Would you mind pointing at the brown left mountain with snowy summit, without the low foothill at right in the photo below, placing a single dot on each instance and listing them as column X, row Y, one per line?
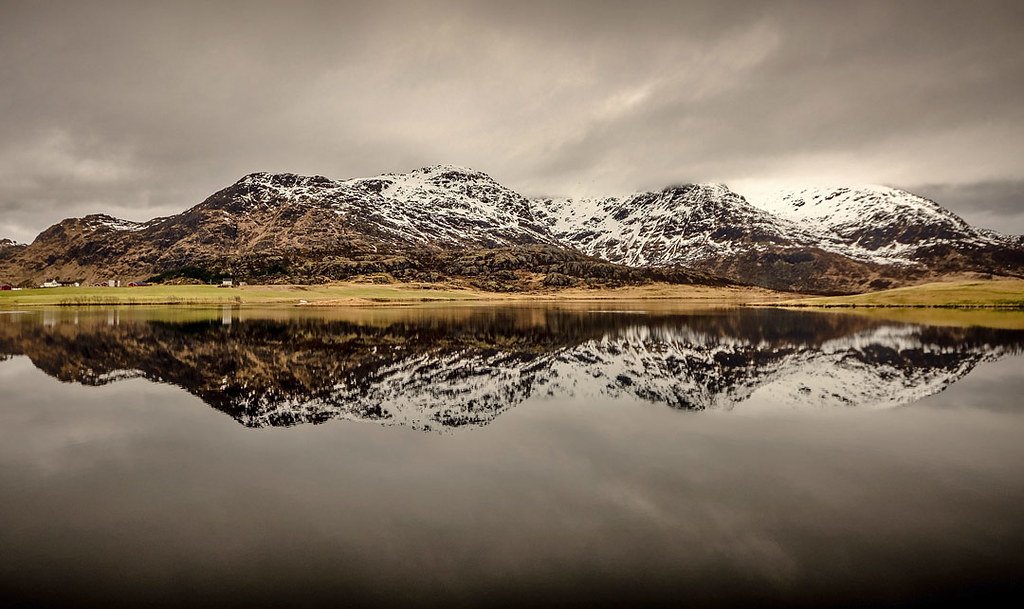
column 268, row 219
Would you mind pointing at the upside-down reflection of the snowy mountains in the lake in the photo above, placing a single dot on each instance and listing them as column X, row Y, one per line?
column 434, row 368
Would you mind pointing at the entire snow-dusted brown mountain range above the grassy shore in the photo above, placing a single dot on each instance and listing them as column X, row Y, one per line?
column 446, row 223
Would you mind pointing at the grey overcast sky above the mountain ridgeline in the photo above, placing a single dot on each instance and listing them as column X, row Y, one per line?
column 139, row 109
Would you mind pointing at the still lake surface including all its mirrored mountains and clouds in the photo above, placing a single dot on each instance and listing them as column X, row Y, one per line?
column 506, row 457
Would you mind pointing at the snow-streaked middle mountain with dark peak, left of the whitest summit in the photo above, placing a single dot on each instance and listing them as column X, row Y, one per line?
column 707, row 228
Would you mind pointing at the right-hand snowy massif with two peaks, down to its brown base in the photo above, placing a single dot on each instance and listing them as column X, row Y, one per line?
column 828, row 240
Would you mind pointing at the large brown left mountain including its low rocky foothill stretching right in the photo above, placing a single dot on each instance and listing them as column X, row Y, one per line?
column 431, row 225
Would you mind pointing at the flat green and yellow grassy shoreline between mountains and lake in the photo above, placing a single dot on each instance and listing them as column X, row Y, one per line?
column 994, row 295
